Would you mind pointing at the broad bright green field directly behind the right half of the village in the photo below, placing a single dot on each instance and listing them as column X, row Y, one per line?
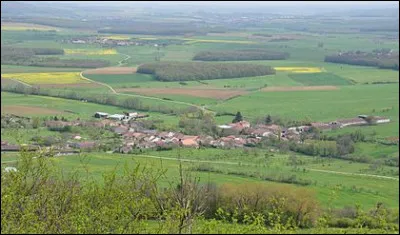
column 348, row 101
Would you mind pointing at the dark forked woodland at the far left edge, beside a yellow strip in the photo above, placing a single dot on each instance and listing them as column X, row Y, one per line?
column 28, row 57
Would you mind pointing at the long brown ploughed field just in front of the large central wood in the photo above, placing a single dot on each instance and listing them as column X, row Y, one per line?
column 205, row 93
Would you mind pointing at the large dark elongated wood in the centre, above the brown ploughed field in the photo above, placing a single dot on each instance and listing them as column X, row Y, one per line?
column 191, row 71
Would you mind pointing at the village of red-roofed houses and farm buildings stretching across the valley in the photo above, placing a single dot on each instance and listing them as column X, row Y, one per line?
column 134, row 136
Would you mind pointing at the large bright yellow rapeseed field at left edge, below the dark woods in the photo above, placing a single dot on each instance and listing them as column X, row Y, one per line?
column 47, row 78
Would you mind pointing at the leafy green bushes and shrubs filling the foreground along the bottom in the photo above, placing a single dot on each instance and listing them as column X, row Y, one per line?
column 124, row 204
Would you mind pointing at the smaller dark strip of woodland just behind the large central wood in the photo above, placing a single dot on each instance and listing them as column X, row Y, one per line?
column 237, row 55
